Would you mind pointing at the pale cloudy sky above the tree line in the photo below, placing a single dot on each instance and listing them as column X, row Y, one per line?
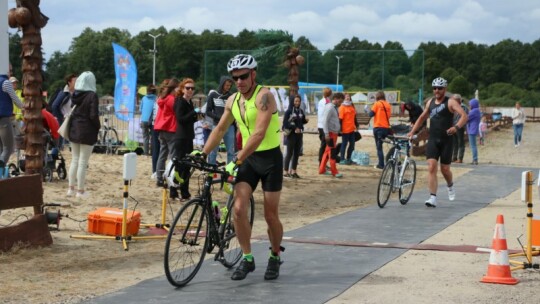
column 324, row 22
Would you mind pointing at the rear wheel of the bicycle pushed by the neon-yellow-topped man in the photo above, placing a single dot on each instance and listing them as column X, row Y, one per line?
column 230, row 251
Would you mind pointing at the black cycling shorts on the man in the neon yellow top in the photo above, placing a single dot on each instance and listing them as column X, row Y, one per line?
column 265, row 166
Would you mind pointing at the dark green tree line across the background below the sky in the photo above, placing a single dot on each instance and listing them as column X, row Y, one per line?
column 502, row 73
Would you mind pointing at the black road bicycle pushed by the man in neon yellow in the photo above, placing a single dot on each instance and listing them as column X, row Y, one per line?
column 199, row 226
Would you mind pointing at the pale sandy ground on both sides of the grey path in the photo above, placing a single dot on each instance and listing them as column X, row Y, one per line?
column 72, row 270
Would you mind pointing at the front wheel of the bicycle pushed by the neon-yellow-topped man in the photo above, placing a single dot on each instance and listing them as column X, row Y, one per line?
column 186, row 243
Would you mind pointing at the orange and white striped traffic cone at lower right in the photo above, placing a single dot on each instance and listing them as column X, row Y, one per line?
column 499, row 265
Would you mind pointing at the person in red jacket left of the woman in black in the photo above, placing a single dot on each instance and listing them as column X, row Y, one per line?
column 165, row 124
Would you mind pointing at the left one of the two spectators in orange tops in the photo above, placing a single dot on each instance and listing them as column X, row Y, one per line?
column 347, row 116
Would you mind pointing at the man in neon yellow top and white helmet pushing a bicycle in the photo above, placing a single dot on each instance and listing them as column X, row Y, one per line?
column 255, row 111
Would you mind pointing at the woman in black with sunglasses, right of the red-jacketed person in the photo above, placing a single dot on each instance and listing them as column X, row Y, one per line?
column 186, row 116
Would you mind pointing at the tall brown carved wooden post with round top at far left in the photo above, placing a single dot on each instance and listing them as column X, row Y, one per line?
column 29, row 18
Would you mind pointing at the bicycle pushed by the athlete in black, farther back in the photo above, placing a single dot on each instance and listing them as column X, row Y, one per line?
column 399, row 173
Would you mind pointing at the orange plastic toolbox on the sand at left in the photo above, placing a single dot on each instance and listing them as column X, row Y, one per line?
column 108, row 221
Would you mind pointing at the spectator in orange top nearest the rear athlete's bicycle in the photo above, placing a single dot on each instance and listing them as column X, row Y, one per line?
column 382, row 111
